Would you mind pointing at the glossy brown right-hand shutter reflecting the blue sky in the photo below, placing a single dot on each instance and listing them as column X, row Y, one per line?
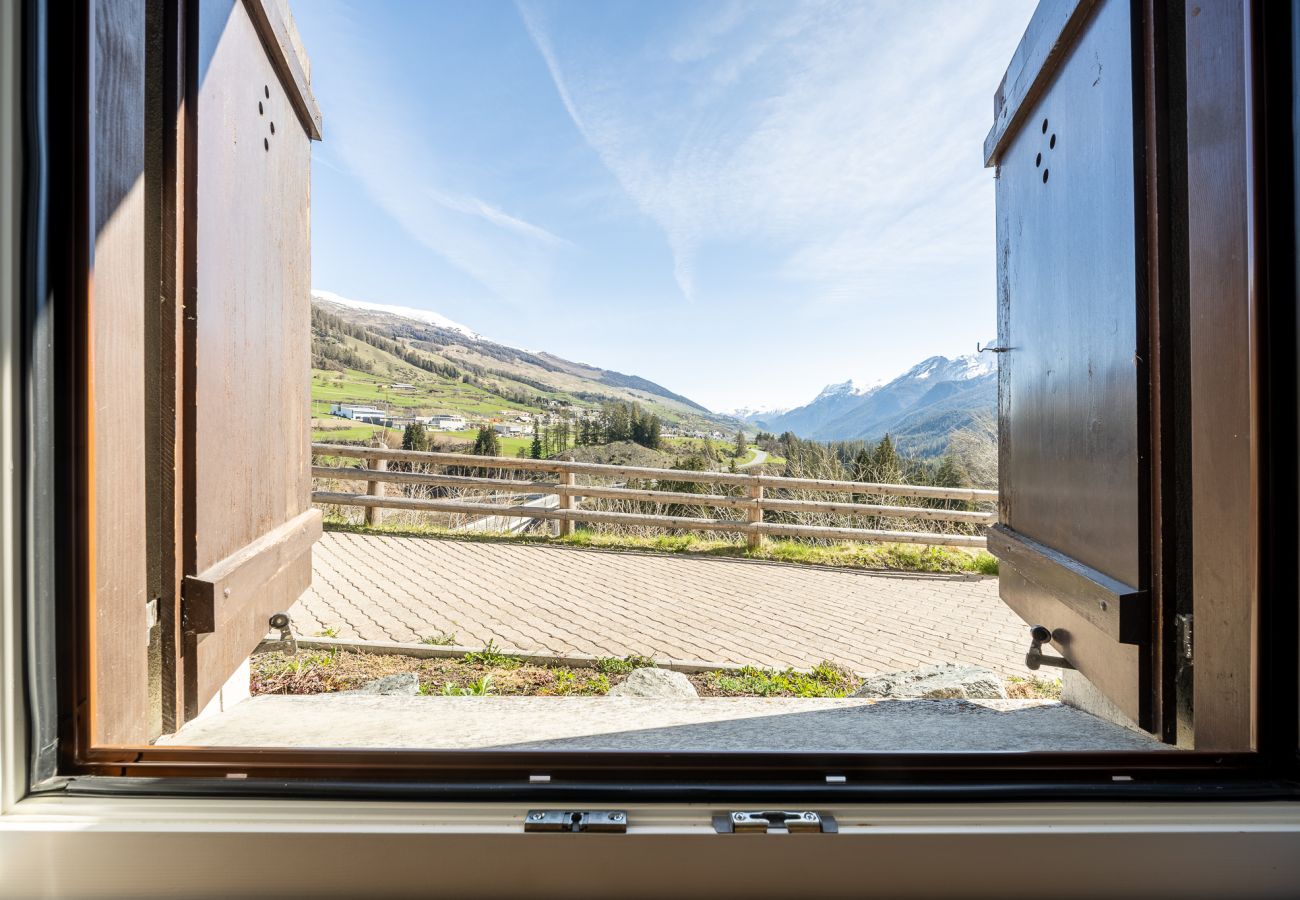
column 1073, row 384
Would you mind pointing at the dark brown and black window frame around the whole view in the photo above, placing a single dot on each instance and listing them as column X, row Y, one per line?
column 60, row 594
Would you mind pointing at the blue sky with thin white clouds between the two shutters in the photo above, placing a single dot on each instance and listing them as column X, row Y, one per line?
column 740, row 201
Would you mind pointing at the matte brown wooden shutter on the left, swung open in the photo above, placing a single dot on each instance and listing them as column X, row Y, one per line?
column 249, row 522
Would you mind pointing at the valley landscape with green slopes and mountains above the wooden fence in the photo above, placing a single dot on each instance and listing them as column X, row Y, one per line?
column 380, row 369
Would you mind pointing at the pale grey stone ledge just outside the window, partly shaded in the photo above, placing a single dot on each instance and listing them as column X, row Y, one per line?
column 618, row 724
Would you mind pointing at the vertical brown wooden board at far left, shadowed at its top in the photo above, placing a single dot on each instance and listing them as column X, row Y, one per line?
column 115, row 405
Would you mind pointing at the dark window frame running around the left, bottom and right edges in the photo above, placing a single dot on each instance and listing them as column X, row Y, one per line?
column 54, row 536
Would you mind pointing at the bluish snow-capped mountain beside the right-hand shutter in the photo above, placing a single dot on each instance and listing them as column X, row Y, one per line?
column 918, row 409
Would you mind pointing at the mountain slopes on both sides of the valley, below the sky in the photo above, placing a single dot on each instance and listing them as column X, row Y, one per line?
column 920, row 409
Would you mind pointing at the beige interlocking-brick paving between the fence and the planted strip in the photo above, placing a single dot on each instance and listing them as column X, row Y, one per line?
column 569, row 600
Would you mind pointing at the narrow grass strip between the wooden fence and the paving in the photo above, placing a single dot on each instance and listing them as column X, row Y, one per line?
column 896, row 557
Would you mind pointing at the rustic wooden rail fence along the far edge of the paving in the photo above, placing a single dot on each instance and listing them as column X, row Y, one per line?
column 755, row 501
